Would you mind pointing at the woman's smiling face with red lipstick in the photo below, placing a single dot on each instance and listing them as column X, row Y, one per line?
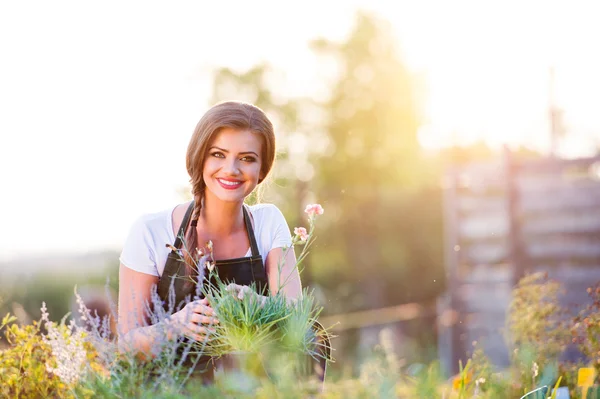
column 232, row 164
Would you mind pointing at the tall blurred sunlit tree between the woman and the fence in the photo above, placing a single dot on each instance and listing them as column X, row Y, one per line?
column 382, row 241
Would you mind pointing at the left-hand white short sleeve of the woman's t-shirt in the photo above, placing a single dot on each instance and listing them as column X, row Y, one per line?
column 138, row 251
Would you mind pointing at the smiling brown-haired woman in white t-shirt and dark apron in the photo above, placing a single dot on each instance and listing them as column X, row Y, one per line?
column 231, row 151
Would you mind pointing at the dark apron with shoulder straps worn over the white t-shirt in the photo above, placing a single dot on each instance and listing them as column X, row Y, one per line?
column 242, row 271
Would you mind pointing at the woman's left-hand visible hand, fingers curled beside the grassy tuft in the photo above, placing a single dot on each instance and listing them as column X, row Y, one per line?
column 193, row 320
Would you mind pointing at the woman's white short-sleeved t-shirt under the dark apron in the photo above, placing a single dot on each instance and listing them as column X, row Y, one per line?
column 145, row 248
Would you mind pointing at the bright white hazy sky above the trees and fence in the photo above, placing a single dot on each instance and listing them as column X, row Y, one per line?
column 98, row 99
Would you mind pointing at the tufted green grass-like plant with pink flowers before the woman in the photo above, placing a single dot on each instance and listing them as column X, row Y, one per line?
column 268, row 334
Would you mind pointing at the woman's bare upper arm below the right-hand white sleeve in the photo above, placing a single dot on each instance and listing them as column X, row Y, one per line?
column 283, row 274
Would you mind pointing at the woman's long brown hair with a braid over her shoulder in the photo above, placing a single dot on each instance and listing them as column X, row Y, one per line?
column 230, row 114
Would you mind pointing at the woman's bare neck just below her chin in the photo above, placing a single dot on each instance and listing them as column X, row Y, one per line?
column 219, row 218
